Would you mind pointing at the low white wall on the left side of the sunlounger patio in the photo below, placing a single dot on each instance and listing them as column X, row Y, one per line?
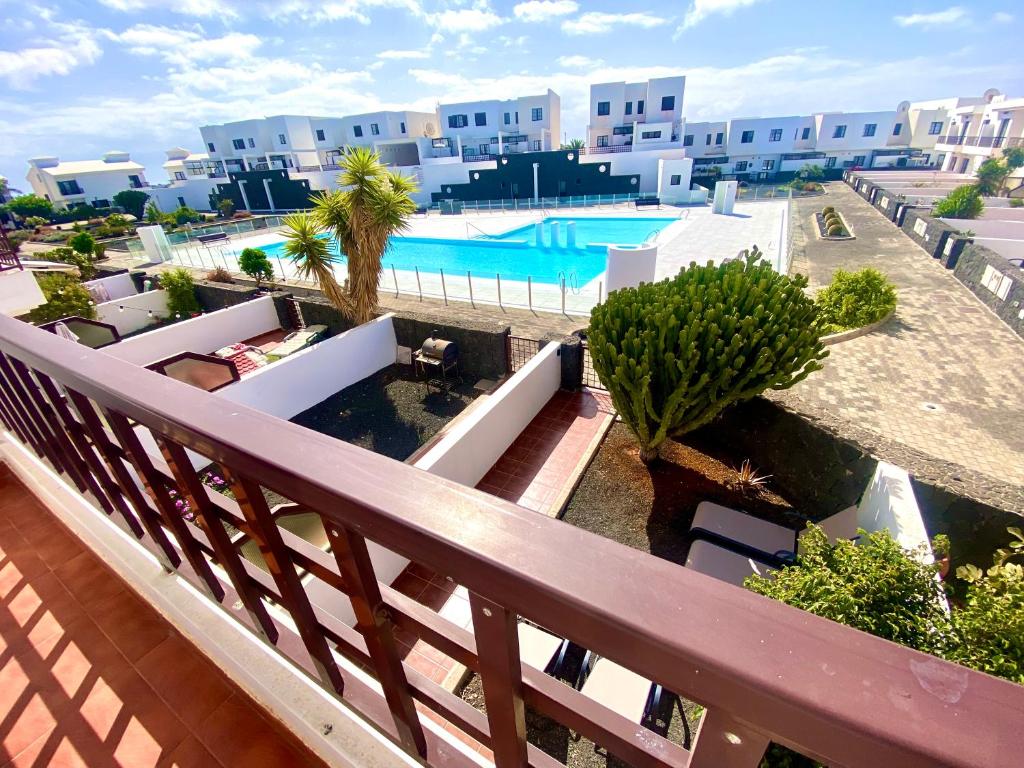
column 203, row 334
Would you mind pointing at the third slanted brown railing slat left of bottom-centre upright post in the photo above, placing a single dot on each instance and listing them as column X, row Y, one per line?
column 228, row 556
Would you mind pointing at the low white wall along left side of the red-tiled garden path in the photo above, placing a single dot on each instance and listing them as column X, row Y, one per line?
column 472, row 449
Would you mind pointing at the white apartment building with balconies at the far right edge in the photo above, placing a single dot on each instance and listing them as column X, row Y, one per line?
column 982, row 131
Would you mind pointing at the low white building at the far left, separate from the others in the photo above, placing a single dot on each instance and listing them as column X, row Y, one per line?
column 93, row 183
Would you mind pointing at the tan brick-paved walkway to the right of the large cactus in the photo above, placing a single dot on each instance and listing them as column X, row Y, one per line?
column 945, row 376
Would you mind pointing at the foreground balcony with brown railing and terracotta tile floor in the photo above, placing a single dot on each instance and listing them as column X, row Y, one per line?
column 310, row 632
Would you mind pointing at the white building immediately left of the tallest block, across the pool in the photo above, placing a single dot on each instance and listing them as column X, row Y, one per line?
column 496, row 127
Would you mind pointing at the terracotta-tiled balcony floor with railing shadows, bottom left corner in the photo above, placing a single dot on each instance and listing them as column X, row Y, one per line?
column 93, row 676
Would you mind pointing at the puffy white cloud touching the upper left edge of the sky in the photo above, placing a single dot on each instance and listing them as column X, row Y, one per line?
column 67, row 47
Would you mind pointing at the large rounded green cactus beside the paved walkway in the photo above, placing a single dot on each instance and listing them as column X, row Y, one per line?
column 674, row 355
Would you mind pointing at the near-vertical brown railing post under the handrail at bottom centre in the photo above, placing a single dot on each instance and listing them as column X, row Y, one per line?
column 498, row 650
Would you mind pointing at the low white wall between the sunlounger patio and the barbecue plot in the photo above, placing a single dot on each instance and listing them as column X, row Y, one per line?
column 302, row 380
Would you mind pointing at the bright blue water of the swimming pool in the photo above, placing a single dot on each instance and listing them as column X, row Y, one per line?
column 514, row 254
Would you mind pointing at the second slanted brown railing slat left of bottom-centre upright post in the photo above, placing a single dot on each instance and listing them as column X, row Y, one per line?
column 249, row 495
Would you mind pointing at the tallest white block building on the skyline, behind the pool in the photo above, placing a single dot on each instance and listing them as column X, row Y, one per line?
column 648, row 115
